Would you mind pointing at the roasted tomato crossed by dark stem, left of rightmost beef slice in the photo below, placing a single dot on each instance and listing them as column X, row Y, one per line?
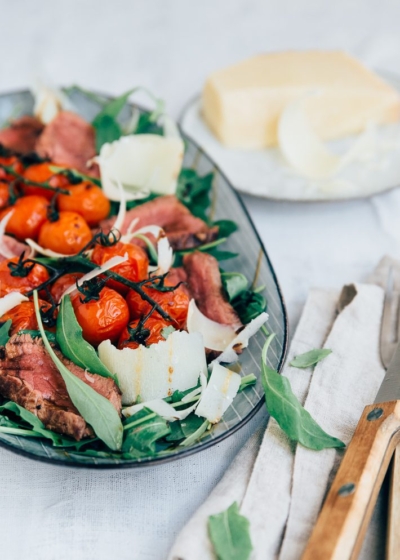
column 175, row 303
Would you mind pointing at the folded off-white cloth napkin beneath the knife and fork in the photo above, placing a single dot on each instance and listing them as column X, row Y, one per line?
column 280, row 486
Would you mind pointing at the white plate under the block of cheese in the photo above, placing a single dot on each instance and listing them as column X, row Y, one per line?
column 264, row 172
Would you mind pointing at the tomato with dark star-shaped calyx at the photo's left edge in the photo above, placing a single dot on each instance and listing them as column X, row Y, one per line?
column 20, row 276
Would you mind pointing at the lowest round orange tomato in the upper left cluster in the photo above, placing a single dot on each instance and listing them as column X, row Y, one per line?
column 67, row 235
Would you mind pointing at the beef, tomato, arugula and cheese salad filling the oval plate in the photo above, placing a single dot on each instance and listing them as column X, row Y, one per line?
column 120, row 330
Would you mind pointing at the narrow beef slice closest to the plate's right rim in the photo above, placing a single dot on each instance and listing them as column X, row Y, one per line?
column 205, row 285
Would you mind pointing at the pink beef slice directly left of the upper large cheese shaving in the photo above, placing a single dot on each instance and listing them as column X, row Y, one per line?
column 69, row 140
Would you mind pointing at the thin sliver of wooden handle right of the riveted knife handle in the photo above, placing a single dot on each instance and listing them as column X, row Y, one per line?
column 393, row 535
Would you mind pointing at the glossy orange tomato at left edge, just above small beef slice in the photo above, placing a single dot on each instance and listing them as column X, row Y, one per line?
column 29, row 214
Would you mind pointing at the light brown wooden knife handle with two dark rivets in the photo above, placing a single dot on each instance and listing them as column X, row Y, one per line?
column 340, row 529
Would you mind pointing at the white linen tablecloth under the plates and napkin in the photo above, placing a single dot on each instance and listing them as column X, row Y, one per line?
column 170, row 46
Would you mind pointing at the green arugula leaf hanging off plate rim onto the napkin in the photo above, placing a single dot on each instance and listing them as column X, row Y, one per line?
column 282, row 404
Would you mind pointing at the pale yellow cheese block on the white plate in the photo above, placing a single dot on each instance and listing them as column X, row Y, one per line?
column 242, row 104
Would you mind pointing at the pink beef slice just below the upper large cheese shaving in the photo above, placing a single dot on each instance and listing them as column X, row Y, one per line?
column 184, row 230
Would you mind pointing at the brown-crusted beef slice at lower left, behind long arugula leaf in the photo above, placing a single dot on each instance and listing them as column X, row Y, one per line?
column 29, row 377
